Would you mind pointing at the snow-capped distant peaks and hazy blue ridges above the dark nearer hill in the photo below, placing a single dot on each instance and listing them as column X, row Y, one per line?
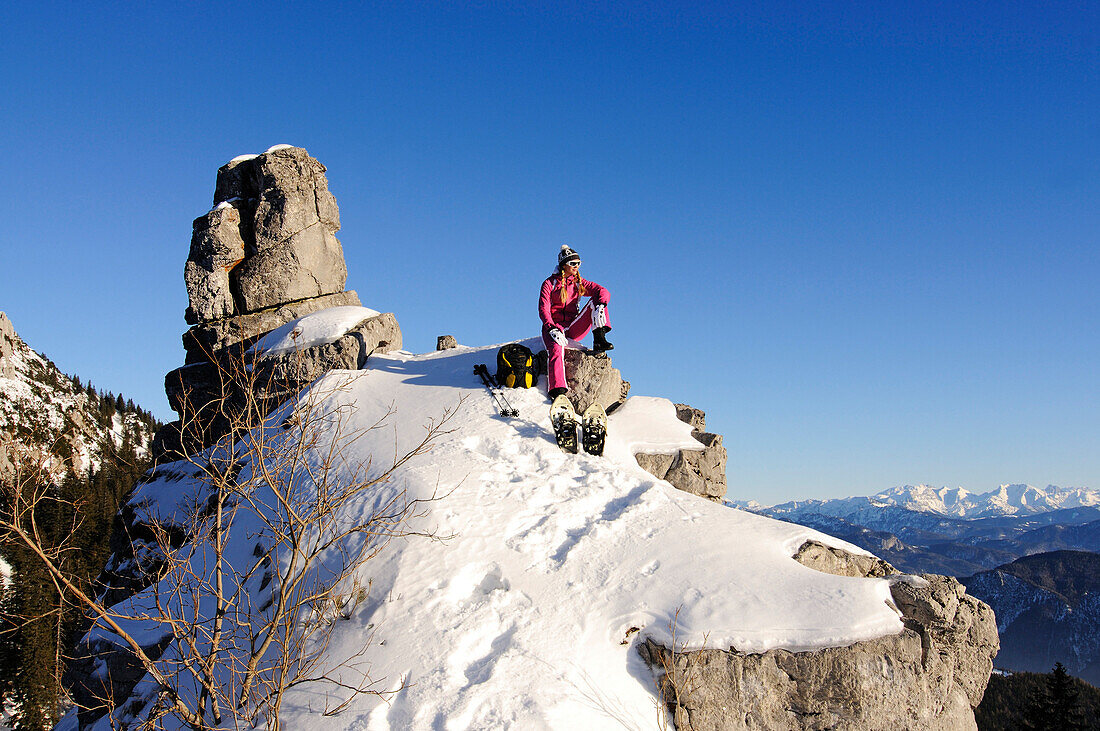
column 953, row 531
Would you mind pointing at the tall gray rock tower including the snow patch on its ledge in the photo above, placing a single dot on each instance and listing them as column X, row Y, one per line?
column 265, row 259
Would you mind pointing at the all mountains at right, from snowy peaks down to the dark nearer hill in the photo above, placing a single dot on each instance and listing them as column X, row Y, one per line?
column 1030, row 553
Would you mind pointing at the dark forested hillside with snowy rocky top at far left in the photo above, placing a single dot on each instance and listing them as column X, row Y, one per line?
column 70, row 456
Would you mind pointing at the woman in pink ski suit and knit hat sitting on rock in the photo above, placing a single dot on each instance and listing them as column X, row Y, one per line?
column 564, row 318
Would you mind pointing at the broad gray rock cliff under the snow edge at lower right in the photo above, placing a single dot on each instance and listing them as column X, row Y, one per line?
column 930, row 677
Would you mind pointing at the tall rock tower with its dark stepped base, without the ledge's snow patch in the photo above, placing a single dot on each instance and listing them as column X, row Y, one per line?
column 265, row 256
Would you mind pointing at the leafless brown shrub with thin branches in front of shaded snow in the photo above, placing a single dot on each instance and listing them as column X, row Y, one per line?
column 251, row 562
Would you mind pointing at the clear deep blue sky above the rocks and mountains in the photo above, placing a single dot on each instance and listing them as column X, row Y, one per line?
column 862, row 237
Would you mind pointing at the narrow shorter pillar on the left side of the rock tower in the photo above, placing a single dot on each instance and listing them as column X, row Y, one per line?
column 217, row 247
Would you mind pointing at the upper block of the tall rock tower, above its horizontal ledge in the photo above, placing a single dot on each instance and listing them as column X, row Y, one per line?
column 270, row 240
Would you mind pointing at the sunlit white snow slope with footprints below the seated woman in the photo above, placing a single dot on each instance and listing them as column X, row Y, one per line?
column 555, row 567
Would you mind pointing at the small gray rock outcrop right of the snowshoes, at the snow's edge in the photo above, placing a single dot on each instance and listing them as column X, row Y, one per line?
column 700, row 472
